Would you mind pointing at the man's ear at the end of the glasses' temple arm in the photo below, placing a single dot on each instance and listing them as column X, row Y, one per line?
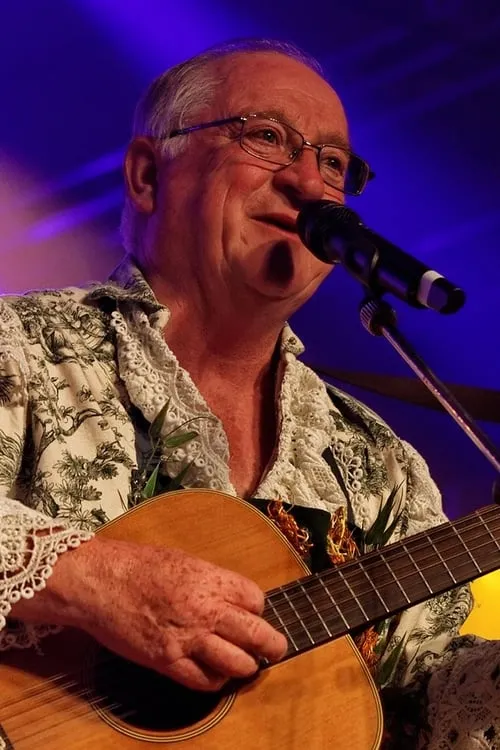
column 140, row 172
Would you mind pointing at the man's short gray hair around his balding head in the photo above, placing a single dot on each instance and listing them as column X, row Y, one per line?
column 177, row 95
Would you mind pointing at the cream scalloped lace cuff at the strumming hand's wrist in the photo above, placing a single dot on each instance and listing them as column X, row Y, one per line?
column 27, row 559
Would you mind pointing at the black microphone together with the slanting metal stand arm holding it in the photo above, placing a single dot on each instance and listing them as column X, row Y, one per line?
column 335, row 234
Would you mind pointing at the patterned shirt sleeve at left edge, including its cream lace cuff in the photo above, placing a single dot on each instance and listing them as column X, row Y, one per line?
column 30, row 541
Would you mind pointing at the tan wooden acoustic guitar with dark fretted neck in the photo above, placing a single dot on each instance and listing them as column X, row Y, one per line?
column 77, row 695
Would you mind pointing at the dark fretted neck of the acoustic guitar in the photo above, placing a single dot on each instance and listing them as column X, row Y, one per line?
column 382, row 583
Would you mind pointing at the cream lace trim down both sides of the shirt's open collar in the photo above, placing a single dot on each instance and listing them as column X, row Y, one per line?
column 298, row 475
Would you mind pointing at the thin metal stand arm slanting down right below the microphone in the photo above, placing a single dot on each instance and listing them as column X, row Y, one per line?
column 379, row 319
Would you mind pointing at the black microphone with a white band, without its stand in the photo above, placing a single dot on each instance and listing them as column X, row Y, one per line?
column 335, row 234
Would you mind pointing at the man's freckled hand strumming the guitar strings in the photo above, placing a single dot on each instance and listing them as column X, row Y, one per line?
column 190, row 620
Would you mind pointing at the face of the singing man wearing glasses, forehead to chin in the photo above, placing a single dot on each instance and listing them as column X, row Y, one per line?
column 226, row 218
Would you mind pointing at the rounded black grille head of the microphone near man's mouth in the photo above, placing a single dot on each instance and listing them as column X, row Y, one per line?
column 316, row 221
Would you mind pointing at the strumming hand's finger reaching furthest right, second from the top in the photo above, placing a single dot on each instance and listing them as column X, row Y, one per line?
column 251, row 633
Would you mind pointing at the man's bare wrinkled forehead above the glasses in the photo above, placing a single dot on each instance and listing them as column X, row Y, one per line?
column 273, row 82
